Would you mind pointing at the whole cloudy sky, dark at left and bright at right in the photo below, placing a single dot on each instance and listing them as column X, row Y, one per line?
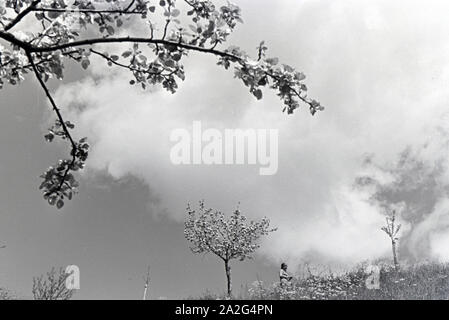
column 381, row 69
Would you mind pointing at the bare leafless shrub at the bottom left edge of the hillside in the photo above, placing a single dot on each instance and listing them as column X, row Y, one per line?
column 52, row 286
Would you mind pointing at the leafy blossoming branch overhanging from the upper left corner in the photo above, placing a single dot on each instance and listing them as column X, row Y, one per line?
column 66, row 30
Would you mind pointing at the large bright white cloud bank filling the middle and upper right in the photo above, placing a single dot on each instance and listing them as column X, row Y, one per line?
column 382, row 75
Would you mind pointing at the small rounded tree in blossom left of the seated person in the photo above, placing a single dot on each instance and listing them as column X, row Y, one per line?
column 230, row 238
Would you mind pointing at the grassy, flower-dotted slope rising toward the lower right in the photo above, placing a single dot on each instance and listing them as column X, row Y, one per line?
column 428, row 281
